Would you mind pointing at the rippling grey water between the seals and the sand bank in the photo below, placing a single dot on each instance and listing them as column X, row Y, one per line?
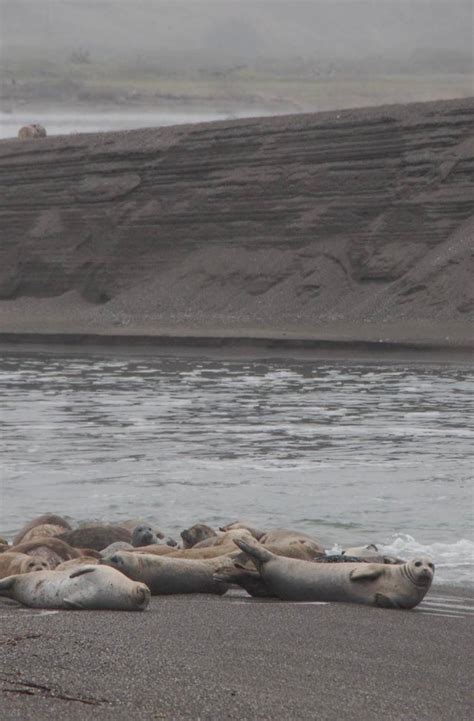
column 350, row 452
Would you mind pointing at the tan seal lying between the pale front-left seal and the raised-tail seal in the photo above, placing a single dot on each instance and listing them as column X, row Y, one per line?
column 164, row 575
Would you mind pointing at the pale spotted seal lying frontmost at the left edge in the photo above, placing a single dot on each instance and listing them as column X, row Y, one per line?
column 87, row 587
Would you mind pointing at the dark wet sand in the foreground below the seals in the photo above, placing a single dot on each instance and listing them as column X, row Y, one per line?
column 204, row 657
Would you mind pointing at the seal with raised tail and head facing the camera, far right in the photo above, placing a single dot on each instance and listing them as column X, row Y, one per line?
column 388, row 586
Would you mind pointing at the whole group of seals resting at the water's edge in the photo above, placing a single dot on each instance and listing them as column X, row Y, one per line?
column 118, row 567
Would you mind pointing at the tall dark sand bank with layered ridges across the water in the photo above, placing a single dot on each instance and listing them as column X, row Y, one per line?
column 355, row 225
